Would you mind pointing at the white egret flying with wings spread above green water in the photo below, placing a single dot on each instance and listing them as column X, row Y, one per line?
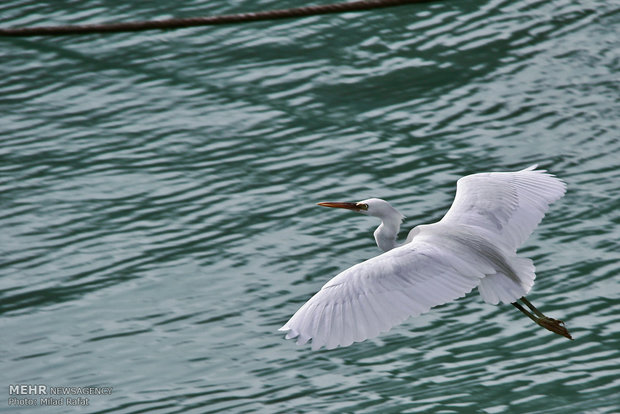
column 473, row 245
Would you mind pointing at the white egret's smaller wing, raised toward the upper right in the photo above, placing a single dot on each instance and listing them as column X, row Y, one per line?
column 505, row 206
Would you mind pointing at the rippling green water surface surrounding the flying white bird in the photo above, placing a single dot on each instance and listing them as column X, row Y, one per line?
column 158, row 190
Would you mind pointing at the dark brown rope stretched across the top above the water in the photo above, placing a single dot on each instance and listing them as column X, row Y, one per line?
column 353, row 6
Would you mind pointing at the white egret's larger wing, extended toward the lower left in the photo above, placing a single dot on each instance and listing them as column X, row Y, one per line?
column 381, row 292
